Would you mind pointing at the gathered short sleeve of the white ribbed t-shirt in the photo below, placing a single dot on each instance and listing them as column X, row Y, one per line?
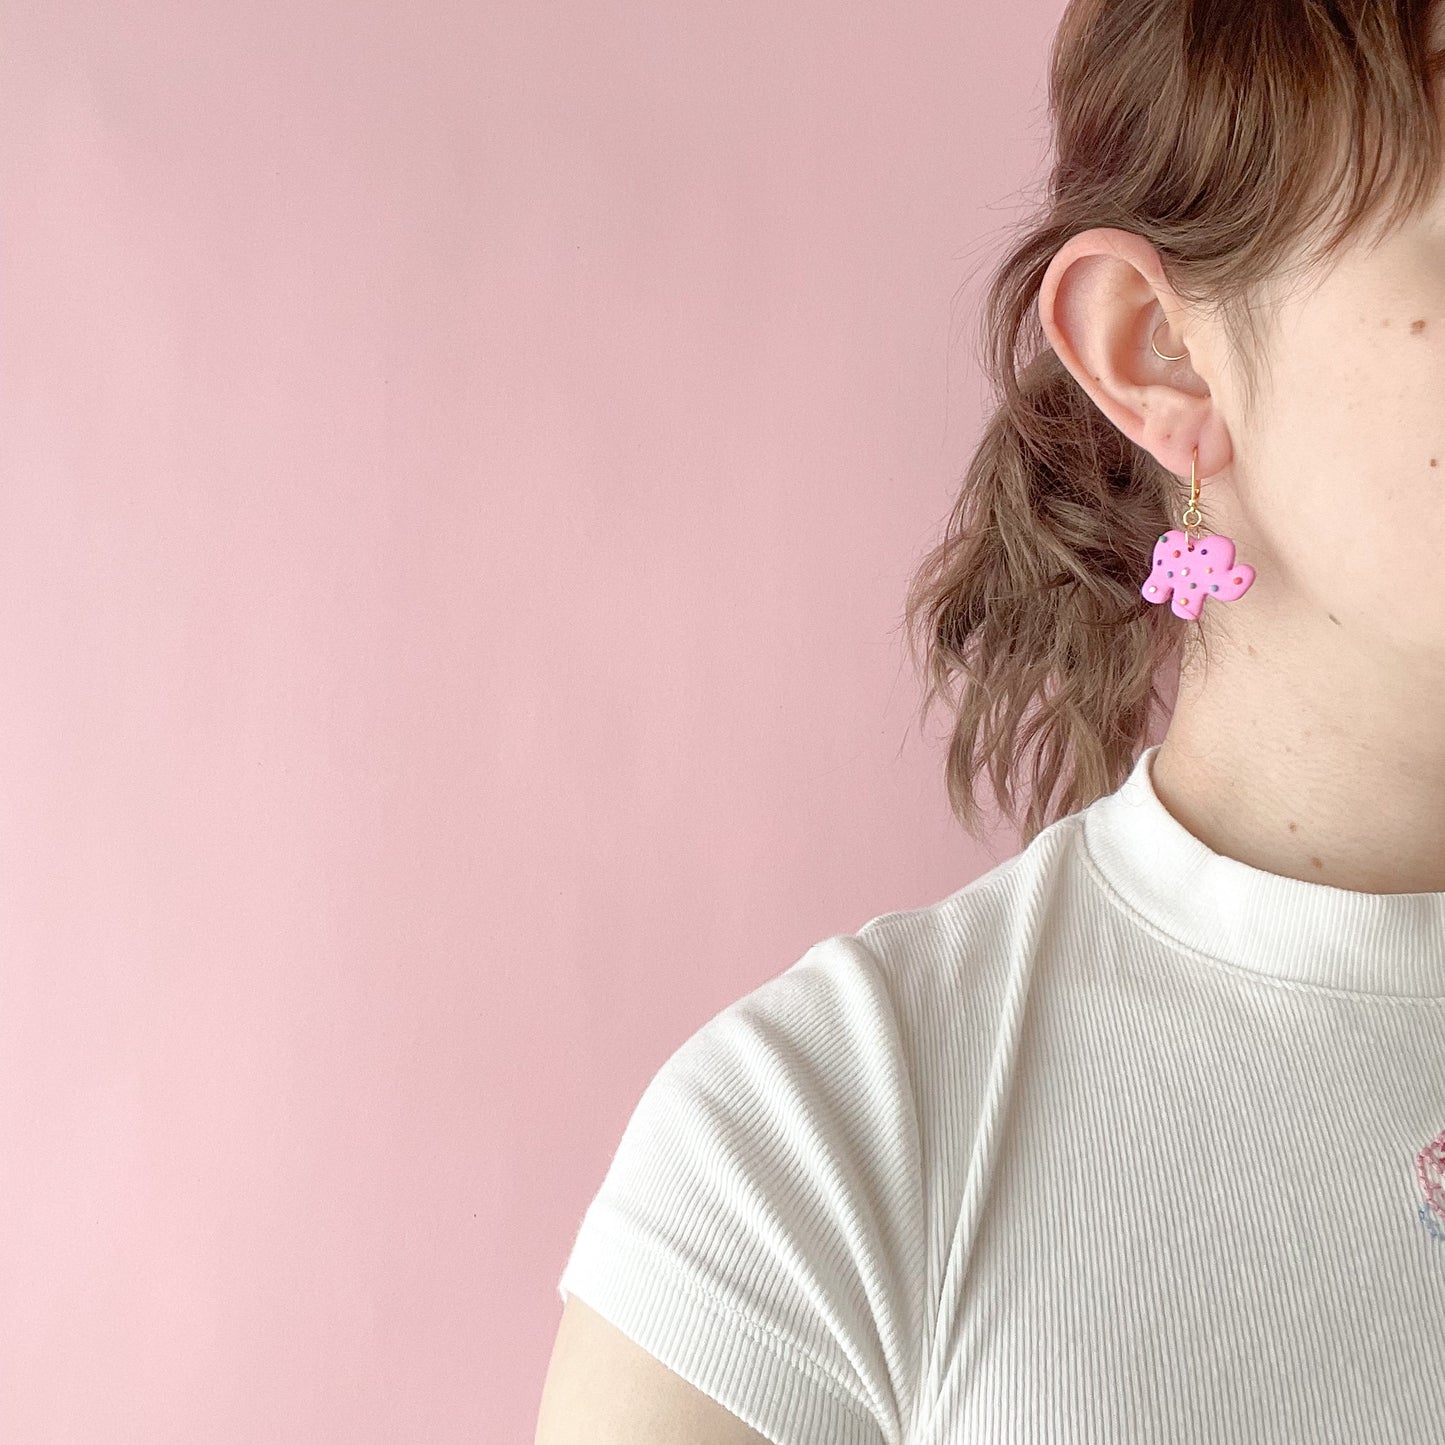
column 759, row 1229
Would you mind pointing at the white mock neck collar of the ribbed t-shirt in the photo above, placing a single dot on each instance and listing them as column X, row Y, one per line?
column 1284, row 928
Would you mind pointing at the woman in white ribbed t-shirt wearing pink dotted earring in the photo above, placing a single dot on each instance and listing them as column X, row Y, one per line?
column 1139, row 1136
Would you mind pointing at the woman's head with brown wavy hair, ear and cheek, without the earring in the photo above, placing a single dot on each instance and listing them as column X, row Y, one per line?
column 1255, row 184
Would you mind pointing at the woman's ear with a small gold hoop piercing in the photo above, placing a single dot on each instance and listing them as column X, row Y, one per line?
column 1102, row 300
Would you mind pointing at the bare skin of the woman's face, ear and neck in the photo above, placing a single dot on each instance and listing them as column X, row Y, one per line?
column 1314, row 746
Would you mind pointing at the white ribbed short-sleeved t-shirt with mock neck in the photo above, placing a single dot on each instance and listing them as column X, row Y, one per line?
column 1122, row 1142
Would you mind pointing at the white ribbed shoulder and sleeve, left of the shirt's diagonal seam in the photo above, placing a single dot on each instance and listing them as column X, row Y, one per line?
column 765, row 1225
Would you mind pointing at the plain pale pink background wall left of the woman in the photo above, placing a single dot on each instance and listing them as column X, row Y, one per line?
column 462, row 470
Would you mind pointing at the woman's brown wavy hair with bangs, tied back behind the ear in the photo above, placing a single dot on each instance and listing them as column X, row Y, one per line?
column 1225, row 134
